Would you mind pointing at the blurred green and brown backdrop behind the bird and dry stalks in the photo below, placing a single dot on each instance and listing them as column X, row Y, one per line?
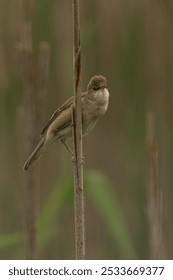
column 131, row 43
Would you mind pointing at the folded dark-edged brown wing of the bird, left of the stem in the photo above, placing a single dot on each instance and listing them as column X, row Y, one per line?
column 57, row 113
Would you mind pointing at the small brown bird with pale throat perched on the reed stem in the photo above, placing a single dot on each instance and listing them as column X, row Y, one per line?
column 94, row 104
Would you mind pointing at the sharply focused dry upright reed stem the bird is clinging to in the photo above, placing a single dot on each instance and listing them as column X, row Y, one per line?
column 77, row 138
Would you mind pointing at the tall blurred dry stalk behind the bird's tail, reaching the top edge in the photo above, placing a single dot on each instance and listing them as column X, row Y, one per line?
column 25, row 54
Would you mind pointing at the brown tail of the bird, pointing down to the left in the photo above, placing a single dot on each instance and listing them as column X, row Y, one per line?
column 37, row 153
